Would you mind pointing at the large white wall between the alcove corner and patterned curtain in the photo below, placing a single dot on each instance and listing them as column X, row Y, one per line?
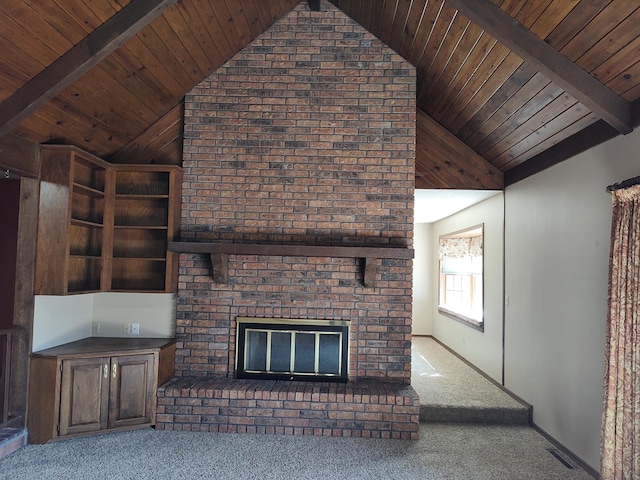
column 556, row 271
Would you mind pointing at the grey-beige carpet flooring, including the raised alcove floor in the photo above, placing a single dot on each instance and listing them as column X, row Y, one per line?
column 446, row 450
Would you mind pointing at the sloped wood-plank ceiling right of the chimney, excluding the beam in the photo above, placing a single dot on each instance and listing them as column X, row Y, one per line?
column 482, row 93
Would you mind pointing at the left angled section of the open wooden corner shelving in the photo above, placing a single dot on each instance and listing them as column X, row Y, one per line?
column 71, row 217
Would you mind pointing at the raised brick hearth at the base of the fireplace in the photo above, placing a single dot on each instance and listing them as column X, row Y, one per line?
column 371, row 410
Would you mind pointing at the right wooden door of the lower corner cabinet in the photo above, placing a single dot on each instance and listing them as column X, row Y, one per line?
column 132, row 391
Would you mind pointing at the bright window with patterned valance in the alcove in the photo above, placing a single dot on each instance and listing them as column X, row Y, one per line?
column 461, row 276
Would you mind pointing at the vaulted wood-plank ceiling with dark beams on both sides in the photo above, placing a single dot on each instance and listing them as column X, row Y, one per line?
column 504, row 87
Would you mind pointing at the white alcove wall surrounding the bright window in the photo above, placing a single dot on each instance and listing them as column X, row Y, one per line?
column 483, row 349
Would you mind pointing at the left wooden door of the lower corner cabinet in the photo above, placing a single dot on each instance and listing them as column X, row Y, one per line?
column 84, row 395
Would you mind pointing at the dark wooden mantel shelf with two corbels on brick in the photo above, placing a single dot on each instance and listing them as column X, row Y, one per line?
column 219, row 252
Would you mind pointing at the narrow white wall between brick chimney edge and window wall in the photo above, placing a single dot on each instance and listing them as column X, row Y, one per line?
column 422, row 280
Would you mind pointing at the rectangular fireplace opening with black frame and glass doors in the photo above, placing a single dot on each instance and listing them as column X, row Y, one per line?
column 292, row 349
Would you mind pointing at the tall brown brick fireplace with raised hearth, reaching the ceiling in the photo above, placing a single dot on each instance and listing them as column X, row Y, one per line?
column 306, row 138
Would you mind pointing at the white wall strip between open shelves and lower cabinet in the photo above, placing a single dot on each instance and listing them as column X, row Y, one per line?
column 63, row 319
